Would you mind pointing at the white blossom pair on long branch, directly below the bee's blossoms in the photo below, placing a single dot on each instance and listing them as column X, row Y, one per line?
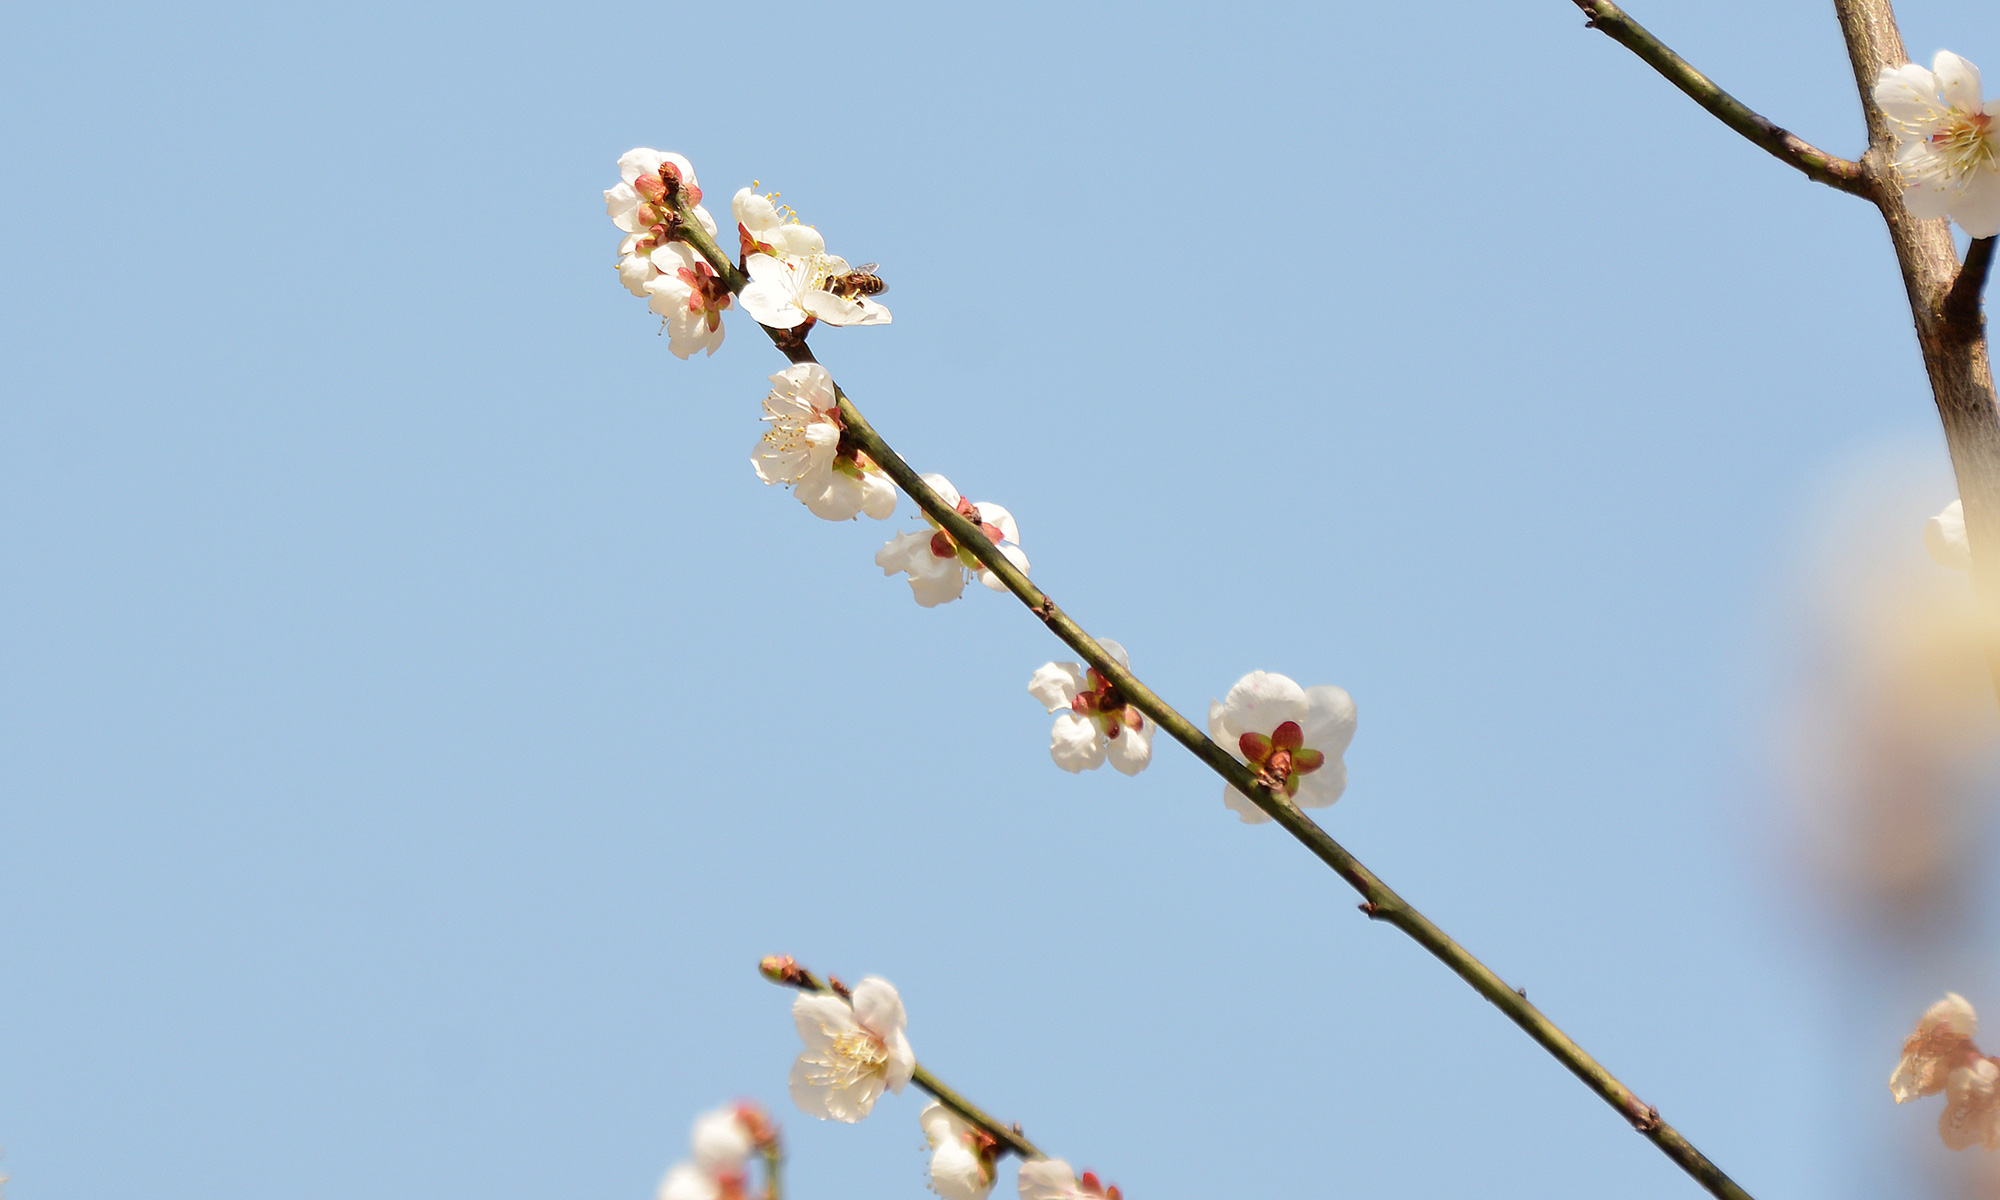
column 803, row 447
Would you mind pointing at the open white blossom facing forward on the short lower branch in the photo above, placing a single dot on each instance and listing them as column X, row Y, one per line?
column 853, row 1051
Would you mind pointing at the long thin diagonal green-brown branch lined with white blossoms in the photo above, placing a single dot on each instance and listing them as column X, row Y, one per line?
column 1379, row 901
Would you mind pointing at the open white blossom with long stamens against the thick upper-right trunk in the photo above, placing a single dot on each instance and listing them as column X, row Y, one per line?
column 1947, row 151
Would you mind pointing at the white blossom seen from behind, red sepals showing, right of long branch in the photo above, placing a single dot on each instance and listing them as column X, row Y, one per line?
column 1293, row 739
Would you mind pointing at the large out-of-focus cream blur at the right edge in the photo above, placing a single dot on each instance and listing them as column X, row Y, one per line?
column 1889, row 743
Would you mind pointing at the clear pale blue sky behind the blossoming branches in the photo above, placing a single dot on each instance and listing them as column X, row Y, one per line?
column 417, row 721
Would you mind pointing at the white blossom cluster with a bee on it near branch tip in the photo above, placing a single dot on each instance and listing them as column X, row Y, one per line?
column 793, row 279
